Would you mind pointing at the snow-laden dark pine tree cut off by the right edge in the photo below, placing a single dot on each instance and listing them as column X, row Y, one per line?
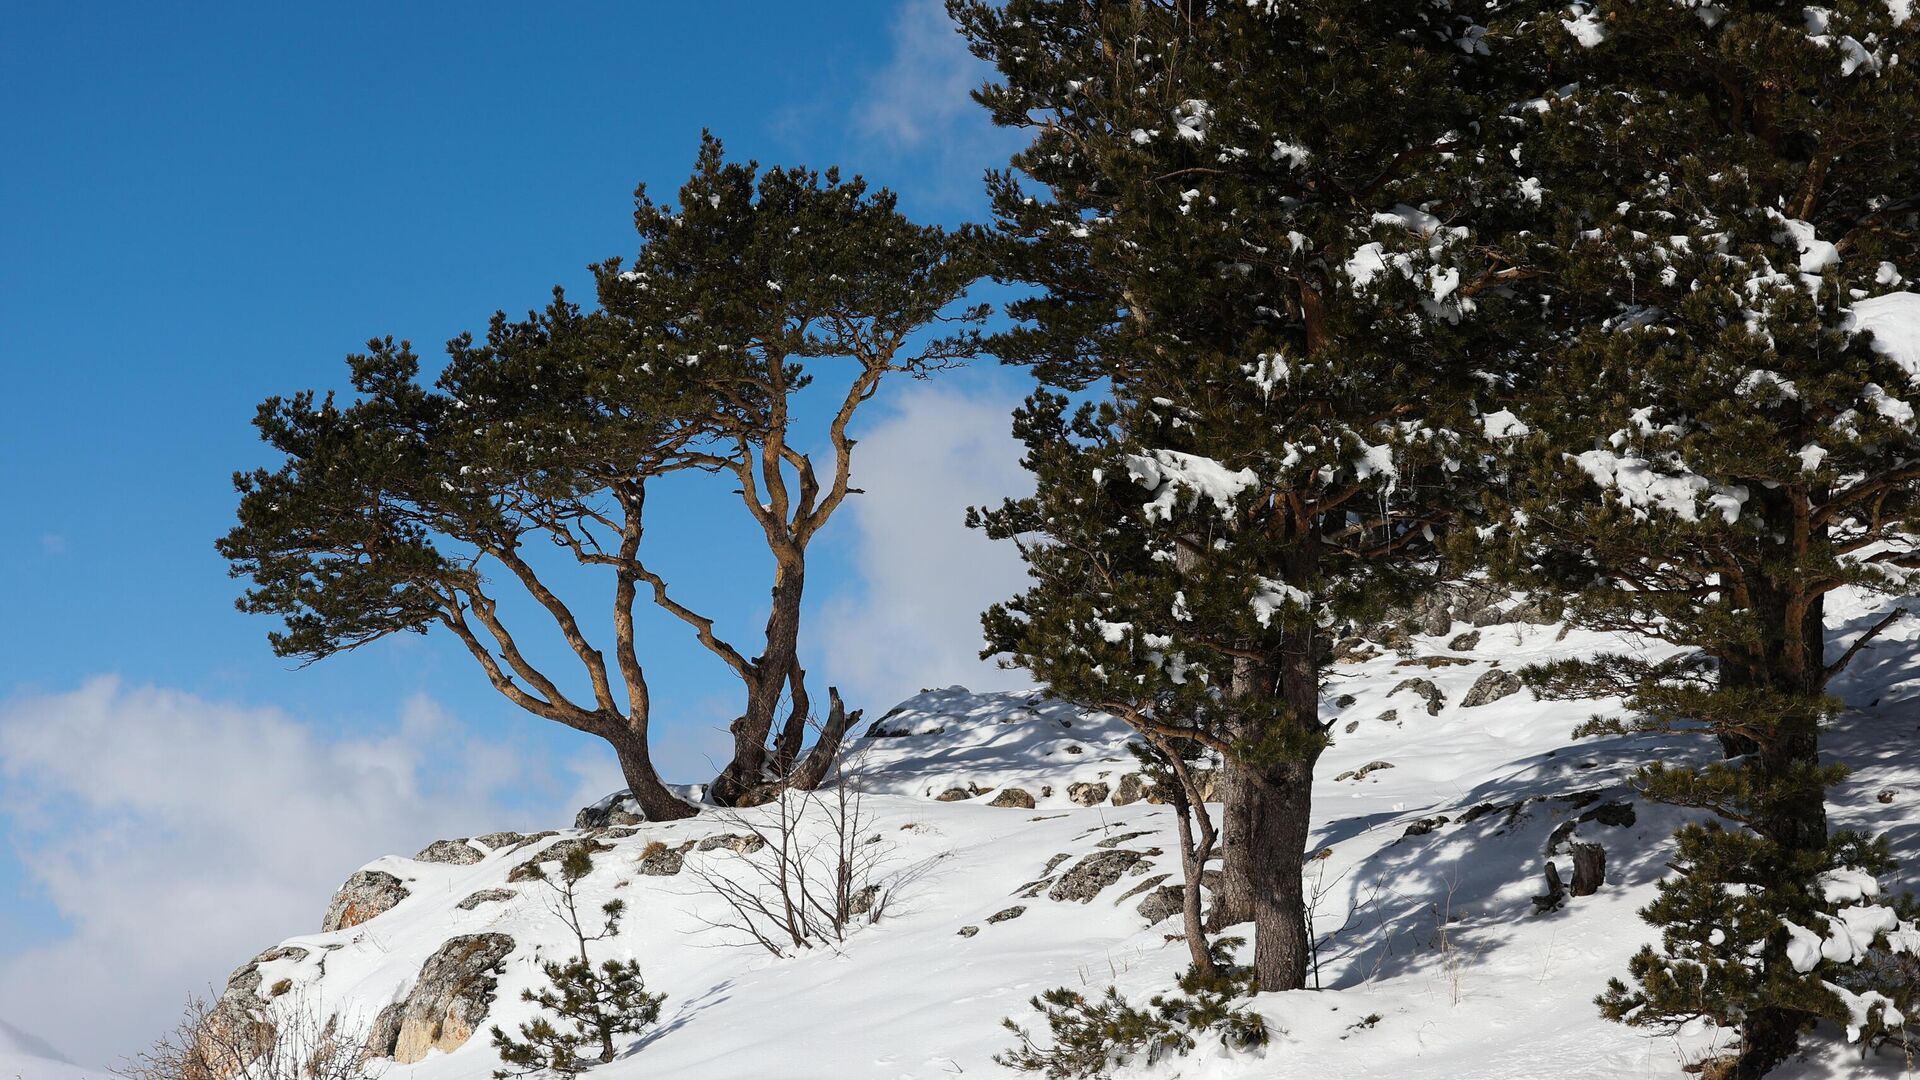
column 1721, row 435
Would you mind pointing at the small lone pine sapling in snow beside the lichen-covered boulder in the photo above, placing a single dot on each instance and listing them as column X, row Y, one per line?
column 592, row 1004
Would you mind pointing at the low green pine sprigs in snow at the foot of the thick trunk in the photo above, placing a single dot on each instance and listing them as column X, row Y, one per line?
column 1095, row 1037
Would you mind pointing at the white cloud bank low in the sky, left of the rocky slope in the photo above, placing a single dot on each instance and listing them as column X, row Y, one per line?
column 178, row 837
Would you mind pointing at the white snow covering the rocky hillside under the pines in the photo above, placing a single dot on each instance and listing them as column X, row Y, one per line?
column 1433, row 958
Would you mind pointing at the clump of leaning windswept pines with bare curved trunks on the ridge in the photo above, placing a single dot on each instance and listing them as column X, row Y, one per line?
column 423, row 504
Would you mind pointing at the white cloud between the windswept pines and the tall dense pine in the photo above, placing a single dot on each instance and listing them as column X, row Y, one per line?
column 924, row 577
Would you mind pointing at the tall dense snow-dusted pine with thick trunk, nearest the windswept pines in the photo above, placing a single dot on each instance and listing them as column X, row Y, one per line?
column 1253, row 239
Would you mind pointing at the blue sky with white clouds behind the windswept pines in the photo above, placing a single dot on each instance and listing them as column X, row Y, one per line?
column 212, row 205
